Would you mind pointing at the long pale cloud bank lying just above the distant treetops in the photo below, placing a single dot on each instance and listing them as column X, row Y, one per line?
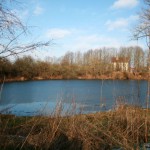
column 95, row 41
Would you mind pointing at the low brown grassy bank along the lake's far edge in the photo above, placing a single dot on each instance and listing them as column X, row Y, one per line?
column 113, row 76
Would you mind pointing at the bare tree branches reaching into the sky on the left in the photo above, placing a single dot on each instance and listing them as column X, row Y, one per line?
column 11, row 31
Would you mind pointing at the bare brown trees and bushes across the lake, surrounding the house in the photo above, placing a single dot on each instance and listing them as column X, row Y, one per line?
column 90, row 64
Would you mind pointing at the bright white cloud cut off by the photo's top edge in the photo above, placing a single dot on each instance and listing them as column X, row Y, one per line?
column 118, row 4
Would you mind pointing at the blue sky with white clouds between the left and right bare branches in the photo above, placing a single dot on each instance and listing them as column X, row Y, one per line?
column 80, row 25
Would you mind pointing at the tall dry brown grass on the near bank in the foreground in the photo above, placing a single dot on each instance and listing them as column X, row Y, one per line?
column 125, row 127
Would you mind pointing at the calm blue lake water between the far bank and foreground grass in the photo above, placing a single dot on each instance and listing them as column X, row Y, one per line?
column 74, row 96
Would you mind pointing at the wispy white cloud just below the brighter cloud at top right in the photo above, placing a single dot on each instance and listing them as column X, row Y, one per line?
column 121, row 23
